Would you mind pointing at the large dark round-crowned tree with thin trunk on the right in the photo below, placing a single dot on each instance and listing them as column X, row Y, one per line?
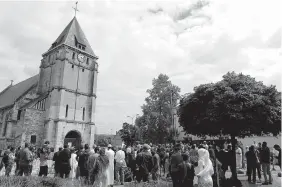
column 238, row 105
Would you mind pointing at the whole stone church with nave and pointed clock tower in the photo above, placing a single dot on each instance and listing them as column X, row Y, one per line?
column 58, row 104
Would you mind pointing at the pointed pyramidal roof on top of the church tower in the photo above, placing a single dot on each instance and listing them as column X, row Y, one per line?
column 73, row 35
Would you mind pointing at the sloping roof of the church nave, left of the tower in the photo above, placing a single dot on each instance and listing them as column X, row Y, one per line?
column 12, row 93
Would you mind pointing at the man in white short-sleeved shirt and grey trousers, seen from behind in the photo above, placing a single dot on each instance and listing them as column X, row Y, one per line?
column 120, row 165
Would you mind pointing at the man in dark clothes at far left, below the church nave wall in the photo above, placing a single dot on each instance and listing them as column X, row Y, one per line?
column 24, row 161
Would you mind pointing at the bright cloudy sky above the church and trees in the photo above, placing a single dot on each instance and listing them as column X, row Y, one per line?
column 193, row 42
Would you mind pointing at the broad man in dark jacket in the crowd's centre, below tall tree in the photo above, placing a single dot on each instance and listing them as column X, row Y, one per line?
column 144, row 161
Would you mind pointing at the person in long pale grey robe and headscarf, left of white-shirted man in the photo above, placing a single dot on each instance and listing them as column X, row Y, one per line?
column 103, row 164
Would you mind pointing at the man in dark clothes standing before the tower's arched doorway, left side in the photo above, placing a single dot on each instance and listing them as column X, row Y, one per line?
column 64, row 162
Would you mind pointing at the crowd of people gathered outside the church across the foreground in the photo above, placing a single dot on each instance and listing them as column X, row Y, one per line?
column 106, row 166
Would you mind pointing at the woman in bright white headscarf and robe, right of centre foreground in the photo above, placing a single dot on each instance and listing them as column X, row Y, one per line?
column 205, row 169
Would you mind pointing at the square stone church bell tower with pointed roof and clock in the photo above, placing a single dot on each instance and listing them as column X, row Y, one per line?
column 68, row 77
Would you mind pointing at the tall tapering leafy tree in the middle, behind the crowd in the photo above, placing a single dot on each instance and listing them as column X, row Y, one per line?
column 156, row 120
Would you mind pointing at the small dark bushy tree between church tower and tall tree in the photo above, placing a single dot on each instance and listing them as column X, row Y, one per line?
column 129, row 134
